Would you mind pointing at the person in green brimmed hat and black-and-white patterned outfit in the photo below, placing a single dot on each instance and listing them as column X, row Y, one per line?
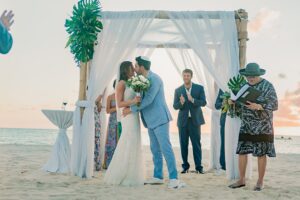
column 256, row 134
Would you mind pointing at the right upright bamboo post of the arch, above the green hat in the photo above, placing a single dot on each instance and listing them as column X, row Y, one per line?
column 241, row 24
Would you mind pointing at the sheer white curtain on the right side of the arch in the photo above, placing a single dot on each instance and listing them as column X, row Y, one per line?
column 215, row 42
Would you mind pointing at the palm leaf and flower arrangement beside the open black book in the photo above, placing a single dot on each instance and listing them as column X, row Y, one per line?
column 234, row 84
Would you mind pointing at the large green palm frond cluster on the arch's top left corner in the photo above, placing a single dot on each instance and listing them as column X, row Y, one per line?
column 83, row 28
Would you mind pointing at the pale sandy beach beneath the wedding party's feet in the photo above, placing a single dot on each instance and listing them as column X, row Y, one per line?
column 22, row 178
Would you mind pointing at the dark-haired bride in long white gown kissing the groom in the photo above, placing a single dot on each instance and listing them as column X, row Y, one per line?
column 126, row 167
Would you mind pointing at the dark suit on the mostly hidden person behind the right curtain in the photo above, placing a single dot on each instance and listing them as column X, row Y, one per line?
column 218, row 106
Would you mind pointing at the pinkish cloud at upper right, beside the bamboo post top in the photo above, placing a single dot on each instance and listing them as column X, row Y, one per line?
column 264, row 19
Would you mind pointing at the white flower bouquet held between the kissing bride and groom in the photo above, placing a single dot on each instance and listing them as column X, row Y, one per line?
column 139, row 84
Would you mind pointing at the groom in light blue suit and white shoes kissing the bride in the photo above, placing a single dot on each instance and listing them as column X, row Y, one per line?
column 156, row 117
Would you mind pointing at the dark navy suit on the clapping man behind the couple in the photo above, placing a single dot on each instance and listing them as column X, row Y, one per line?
column 190, row 127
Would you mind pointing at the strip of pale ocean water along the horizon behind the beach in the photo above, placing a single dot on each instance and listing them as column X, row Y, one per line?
column 287, row 139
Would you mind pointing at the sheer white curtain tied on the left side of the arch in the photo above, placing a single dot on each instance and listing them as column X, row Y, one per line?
column 121, row 34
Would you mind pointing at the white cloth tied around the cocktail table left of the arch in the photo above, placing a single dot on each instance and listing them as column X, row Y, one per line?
column 61, row 154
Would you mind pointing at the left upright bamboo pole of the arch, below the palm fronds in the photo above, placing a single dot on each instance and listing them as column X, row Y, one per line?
column 82, row 84
